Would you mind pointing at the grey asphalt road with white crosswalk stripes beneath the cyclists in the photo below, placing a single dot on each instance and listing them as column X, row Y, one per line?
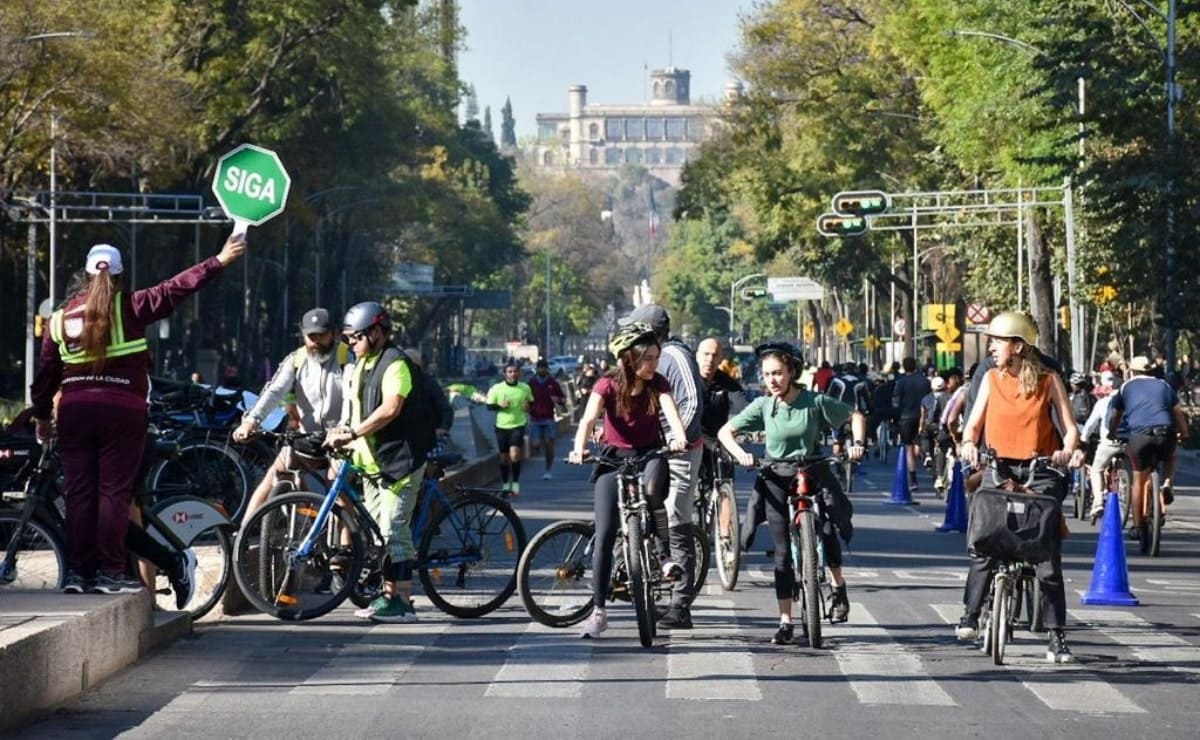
column 893, row 671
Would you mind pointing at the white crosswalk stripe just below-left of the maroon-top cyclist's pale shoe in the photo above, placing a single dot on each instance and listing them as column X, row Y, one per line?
column 544, row 663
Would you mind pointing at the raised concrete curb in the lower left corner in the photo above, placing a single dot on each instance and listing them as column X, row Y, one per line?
column 56, row 647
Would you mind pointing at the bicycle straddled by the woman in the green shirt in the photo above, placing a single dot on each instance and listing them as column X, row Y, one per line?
column 814, row 592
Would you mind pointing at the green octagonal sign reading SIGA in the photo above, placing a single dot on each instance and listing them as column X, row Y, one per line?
column 251, row 185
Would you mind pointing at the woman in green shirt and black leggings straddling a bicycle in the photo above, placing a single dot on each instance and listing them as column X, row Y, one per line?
column 793, row 420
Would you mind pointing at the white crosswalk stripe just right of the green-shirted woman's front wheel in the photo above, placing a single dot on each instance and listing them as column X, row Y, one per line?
column 881, row 671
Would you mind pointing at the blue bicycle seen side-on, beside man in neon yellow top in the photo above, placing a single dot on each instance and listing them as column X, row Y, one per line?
column 304, row 554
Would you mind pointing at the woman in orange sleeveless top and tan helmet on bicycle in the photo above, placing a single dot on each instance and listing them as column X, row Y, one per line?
column 1013, row 408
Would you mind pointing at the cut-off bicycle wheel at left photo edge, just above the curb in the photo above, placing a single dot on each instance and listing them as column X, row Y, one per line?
column 34, row 555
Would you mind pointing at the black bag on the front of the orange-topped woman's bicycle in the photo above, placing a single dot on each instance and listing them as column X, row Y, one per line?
column 1012, row 526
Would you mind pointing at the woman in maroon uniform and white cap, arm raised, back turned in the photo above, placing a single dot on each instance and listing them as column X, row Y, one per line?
column 95, row 356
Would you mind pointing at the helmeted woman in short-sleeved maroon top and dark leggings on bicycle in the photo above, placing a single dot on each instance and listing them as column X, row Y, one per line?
column 629, row 400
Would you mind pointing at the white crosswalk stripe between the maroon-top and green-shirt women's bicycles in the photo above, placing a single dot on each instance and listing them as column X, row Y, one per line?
column 707, row 675
